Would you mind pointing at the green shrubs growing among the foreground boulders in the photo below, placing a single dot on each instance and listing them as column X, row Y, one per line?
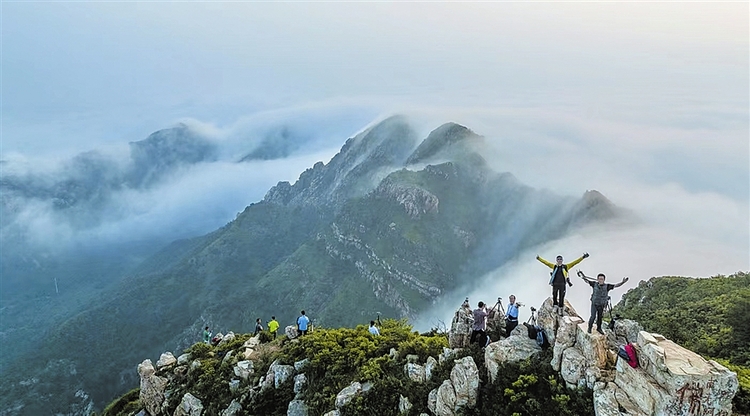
column 337, row 357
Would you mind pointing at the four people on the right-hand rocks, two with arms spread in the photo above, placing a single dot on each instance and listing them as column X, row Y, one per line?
column 559, row 279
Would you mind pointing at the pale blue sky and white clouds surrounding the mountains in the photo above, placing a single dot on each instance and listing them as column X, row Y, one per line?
column 646, row 102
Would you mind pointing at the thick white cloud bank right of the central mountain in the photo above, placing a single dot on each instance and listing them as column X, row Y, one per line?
column 693, row 215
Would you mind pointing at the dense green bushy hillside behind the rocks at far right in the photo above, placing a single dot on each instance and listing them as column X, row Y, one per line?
column 709, row 316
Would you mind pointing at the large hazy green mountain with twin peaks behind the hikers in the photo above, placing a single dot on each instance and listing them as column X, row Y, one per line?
column 388, row 225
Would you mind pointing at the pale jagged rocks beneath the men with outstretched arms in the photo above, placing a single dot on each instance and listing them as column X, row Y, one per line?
column 669, row 380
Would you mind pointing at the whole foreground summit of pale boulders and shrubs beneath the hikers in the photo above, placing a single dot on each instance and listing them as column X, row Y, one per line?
column 303, row 375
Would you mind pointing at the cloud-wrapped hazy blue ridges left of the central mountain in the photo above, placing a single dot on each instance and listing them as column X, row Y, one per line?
column 181, row 181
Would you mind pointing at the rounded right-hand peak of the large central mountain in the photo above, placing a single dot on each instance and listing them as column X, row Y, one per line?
column 444, row 141
